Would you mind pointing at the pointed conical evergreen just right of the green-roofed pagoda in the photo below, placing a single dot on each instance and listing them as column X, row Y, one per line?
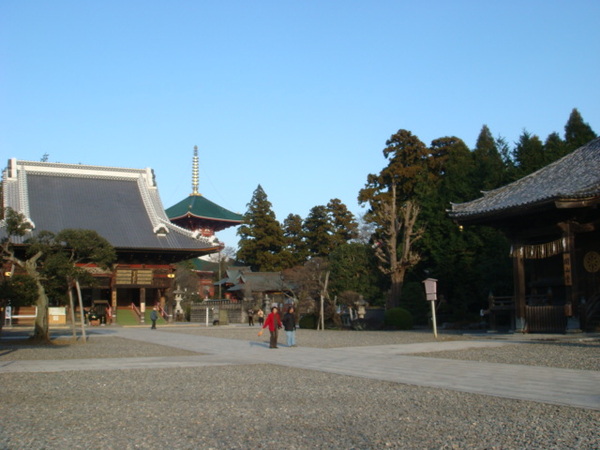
column 261, row 238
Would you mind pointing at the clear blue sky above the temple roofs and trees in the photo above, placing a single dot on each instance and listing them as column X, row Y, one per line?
column 298, row 96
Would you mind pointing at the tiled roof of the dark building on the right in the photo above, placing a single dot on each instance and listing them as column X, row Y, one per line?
column 575, row 176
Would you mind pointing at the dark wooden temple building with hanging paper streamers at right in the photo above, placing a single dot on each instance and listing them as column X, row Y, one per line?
column 552, row 219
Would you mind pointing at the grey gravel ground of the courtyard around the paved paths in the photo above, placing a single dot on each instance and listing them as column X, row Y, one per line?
column 269, row 407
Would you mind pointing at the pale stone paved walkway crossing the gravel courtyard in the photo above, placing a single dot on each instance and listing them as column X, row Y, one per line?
column 577, row 388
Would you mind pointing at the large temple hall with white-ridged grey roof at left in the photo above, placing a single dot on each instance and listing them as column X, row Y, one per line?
column 121, row 205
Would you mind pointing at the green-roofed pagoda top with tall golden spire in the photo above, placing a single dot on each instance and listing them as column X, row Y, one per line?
column 198, row 214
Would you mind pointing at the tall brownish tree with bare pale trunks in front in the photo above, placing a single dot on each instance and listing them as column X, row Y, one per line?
column 392, row 199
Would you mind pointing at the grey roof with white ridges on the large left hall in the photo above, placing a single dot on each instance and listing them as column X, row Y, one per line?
column 122, row 205
